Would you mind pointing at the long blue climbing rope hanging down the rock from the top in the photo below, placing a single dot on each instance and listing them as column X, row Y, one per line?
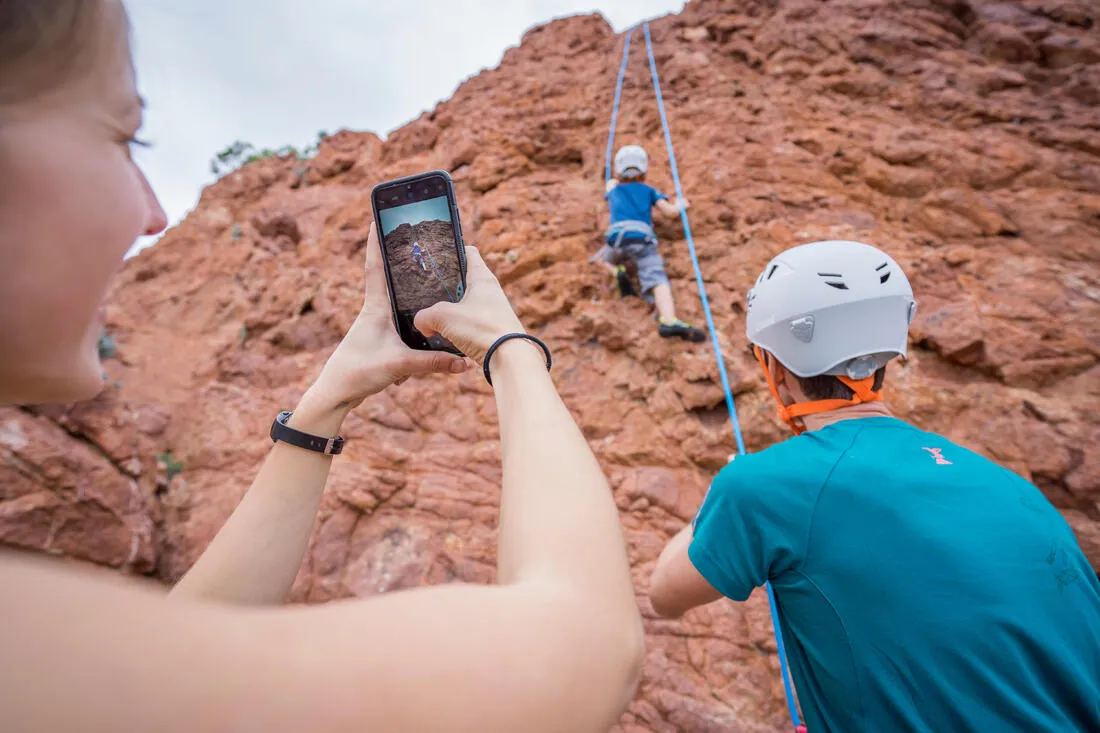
column 793, row 706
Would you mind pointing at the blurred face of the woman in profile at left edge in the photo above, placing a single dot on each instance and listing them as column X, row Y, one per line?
column 72, row 204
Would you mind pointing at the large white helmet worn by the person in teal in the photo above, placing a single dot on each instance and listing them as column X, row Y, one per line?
column 832, row 308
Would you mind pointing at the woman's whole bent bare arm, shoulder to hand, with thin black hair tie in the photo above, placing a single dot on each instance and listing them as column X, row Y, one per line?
column 557, row 647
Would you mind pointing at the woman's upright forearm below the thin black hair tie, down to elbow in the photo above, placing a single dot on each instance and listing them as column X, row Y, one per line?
column 558, row 517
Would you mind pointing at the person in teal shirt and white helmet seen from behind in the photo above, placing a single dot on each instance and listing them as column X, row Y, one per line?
column 920, row 586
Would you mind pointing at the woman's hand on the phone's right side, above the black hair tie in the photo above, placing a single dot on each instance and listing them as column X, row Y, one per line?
column 480, row 319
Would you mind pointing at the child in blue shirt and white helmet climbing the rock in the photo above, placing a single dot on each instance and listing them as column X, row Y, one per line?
column 632, row 237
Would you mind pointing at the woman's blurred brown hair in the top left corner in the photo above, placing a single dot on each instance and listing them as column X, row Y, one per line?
column 46, row 45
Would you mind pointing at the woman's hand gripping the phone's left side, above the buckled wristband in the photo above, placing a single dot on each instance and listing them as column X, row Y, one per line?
column 372, row 356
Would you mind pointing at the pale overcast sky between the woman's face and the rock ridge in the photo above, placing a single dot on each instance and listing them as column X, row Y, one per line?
column 278, row 72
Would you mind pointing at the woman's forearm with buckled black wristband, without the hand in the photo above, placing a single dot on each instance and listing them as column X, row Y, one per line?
column 256, row 556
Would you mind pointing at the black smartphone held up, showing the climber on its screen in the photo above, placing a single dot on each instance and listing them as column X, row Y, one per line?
column 425, row 259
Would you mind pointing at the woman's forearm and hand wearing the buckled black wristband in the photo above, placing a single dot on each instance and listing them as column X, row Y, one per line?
column 256, row 556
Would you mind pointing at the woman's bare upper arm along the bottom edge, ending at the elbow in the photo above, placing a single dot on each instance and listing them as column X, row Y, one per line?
column 458, row 659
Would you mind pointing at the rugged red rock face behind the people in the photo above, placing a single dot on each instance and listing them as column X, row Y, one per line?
column 960, row 136
